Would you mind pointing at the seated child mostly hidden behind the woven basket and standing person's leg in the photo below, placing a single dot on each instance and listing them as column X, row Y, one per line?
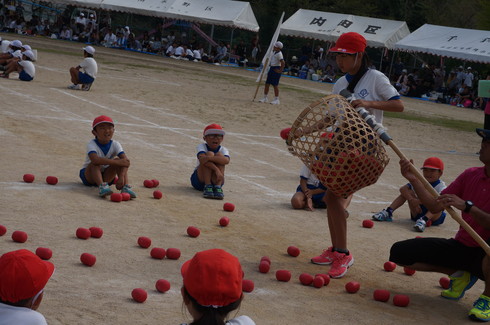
column 309, row 193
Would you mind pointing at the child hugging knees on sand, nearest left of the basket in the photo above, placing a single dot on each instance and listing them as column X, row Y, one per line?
column 212, row 157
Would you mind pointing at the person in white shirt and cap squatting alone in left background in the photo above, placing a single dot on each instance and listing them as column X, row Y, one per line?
column 89, row 65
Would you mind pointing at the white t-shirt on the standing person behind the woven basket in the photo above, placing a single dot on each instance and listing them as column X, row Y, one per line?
column 374, row 85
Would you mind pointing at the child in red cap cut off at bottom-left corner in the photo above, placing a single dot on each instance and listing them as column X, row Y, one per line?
column 23, row 276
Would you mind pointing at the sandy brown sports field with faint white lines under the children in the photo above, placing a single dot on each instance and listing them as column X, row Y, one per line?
column 161, row 106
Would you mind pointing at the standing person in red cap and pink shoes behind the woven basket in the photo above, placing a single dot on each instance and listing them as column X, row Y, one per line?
column 373, row 91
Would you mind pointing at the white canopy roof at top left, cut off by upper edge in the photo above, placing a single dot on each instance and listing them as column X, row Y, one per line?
column 235, row 14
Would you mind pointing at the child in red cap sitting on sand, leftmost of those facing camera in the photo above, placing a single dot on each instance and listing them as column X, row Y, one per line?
column 105, row 160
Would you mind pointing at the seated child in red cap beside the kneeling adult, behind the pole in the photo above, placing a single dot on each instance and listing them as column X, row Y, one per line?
column 432, row 171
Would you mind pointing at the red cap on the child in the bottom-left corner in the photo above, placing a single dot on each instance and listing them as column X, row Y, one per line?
column 22, row 275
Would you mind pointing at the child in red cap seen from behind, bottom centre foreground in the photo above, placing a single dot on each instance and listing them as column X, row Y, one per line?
column 213, row 288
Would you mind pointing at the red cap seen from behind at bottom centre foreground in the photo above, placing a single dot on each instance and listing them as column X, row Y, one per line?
column 213, row 277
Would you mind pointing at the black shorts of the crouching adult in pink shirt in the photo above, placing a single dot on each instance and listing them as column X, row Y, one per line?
column 439, row 251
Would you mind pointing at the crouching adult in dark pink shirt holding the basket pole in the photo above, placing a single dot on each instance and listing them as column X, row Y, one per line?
column 460, row 257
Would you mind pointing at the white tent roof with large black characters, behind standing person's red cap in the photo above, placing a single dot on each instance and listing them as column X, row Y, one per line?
column 328, row 26
